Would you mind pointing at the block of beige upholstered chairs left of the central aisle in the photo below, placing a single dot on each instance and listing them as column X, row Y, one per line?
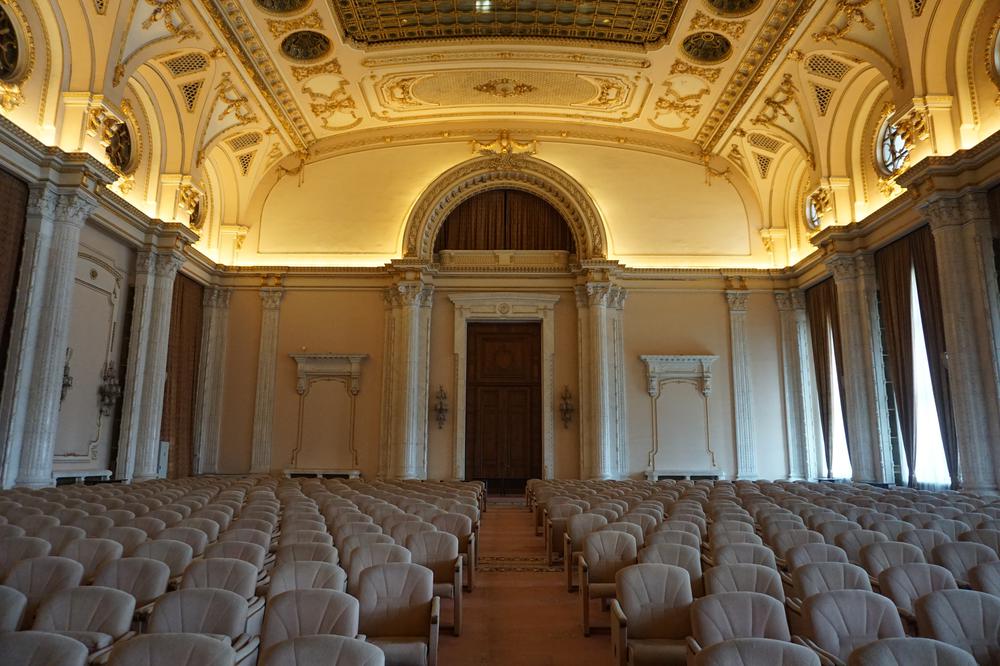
column 257, row 554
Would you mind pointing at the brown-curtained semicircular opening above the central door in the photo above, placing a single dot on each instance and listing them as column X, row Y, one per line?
column 505, row 219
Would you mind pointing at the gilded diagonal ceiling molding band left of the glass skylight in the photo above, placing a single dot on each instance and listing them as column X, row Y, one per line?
column 250, row 50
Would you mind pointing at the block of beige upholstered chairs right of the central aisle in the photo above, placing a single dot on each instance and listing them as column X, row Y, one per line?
column 752, row 539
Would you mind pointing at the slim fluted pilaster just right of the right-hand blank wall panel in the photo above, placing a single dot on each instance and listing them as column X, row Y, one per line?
column 745, row 427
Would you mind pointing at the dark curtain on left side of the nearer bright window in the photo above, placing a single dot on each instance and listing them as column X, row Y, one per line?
column 894, row 267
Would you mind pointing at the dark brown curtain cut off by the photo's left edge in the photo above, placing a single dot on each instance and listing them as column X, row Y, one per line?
column 13, row 208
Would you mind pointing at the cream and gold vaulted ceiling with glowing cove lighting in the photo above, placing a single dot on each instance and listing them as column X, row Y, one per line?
column 307, row 130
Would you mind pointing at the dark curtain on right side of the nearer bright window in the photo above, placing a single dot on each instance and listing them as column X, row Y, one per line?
column 929, row 292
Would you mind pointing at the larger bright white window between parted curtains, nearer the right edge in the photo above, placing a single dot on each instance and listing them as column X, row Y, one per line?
column 930, row 464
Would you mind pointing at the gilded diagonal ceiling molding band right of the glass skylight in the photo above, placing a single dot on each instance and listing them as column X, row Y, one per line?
column 780, row 25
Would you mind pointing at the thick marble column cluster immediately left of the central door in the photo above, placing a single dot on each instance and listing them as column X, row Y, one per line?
column 405, row 380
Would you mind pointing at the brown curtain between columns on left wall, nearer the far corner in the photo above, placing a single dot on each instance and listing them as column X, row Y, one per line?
column 183, row 356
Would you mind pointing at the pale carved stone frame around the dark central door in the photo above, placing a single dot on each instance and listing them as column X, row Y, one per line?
column 501, row 307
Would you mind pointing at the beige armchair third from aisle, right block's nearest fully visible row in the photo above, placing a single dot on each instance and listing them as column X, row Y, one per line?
column 838, row 622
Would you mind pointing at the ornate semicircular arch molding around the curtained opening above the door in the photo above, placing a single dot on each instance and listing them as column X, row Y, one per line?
column 480, row 175
